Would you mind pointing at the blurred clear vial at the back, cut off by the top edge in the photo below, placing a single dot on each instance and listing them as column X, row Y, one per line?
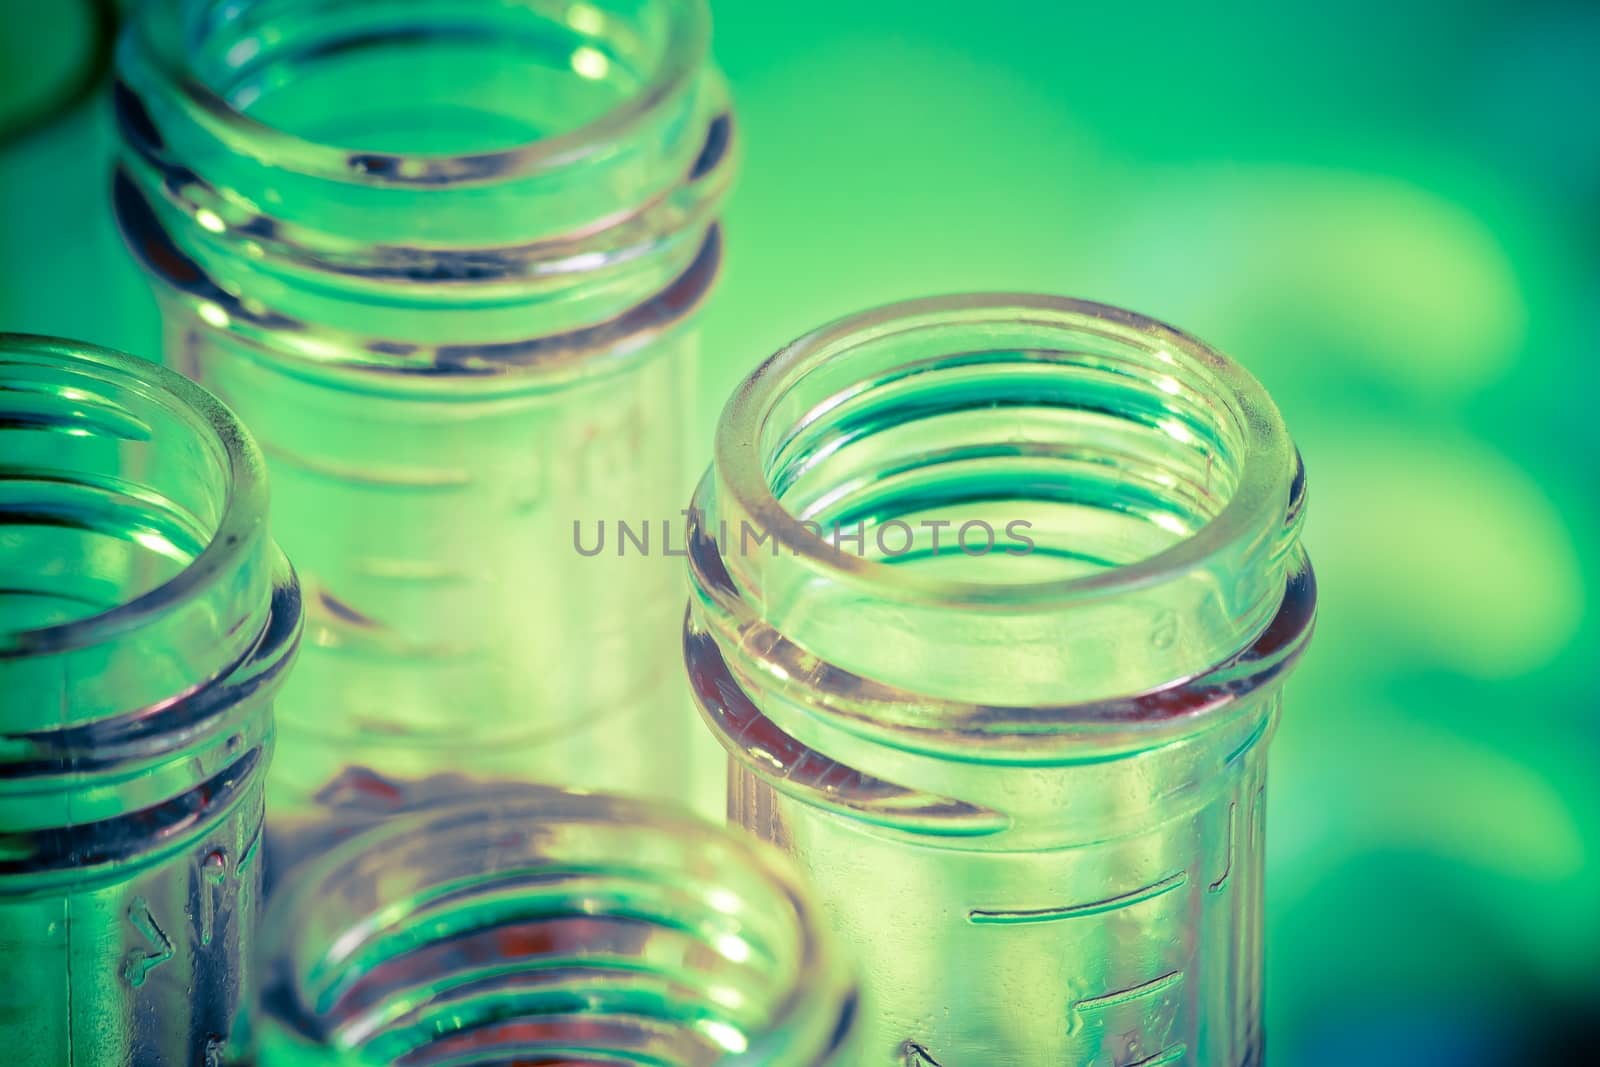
column 444, row 258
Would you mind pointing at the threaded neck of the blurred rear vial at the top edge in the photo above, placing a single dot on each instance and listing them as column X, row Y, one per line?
column 551, row 177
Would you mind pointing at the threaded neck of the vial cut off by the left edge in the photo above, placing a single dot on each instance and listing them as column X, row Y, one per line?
column 145, row 613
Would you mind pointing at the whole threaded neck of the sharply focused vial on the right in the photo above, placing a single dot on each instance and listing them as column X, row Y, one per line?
column 961, row 557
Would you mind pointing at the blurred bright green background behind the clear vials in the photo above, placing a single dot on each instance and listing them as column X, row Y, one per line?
column 1390, row 212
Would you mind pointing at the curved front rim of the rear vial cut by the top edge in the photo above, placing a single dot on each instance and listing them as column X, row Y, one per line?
column 689, row 38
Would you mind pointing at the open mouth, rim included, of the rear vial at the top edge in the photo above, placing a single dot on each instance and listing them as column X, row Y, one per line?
column 426, row 92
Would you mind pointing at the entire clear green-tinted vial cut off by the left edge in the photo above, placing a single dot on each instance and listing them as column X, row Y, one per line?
column 146, row 621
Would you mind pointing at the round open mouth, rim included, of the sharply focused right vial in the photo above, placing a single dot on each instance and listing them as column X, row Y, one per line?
column 1002, row 450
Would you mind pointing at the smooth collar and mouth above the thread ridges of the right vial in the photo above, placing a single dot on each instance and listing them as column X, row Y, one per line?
column 1006, row 502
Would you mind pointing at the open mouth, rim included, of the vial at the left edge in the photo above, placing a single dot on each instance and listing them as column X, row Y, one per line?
column 126, row 492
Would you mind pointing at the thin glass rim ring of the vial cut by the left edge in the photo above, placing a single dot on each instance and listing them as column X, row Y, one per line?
column 241, row 521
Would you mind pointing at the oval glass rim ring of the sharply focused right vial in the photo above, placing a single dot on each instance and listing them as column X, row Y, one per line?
column 1258, row 503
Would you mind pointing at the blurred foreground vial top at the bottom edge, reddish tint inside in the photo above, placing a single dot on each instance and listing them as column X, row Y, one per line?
column 524, row 925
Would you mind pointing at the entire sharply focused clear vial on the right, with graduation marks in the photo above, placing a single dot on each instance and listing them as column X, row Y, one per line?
column 993, row 604
